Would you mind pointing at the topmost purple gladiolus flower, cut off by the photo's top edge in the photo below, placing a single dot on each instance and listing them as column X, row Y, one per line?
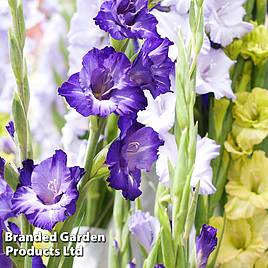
column 126, row 19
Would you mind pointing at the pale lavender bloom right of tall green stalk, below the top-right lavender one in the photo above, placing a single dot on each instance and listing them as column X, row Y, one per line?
column 213, row 74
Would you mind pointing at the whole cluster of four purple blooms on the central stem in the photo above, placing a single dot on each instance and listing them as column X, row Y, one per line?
column 109, row 83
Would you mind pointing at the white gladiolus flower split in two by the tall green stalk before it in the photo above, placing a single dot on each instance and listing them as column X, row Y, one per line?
column 206, row 150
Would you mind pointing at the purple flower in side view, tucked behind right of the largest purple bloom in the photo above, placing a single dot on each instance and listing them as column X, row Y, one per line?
column 152, row 67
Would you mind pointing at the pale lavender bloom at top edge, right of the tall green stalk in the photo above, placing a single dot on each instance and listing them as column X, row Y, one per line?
column 224, row 20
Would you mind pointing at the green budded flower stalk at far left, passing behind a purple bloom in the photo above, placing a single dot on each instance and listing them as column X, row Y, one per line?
column 21, row 98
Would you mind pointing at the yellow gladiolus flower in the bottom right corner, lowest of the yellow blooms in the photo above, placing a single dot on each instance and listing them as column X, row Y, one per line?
column 243, row 241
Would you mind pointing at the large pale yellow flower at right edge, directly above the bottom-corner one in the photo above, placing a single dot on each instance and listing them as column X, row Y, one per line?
column 247, row 187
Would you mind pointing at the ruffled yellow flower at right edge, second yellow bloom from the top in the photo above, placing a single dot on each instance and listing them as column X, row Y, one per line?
column 251, row 118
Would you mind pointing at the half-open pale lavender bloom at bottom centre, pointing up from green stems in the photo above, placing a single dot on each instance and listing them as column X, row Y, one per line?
column 145, row 228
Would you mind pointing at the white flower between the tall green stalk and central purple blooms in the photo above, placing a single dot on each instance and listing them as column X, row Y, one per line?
column 160, row 112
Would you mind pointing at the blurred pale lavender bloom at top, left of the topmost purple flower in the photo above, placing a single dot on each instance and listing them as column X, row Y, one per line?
column 84, row 34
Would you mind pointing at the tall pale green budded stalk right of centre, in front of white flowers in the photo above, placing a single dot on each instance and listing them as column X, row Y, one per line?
column 185, row 132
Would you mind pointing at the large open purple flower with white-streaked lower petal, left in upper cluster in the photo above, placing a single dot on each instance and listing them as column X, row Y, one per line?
column 103, row 85
